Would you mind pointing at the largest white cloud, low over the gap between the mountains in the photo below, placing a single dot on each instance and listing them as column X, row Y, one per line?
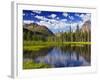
column 55, row 25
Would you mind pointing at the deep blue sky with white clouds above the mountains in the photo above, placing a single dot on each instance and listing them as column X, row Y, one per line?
column 56, row 21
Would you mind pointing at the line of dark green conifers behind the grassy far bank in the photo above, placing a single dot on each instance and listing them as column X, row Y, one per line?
column 70, row 36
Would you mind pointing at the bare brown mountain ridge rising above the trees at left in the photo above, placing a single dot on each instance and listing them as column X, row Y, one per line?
column 35, row 28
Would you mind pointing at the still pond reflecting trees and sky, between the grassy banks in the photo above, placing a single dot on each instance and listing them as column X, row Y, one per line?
column 61, row 56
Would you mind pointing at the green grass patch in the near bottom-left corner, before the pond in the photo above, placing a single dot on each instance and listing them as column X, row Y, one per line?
column 33, row 65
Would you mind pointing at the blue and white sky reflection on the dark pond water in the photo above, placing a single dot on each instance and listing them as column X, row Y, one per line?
column 57, row 58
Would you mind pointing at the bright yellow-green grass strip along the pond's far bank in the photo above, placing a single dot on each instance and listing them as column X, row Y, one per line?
column 36, row 46
